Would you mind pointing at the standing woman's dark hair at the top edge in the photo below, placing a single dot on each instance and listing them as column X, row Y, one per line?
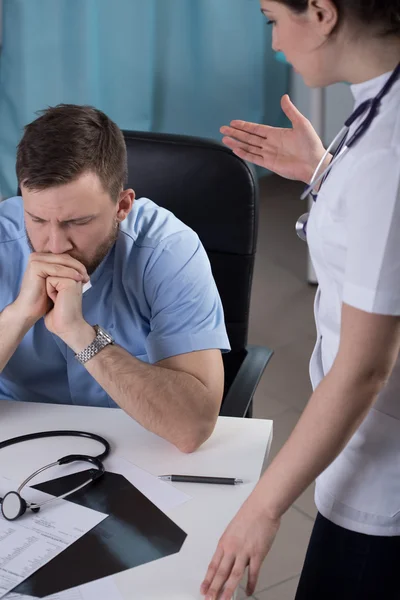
column 384, row 14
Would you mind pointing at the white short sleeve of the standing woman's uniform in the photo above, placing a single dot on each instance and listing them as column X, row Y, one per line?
column 372, row 277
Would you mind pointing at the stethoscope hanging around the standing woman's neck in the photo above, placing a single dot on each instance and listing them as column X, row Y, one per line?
column 371, row 107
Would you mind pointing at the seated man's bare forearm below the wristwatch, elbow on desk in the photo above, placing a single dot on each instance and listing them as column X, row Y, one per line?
column 173, row 404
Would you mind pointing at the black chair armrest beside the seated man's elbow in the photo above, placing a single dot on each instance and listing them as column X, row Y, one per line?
column 241, row 392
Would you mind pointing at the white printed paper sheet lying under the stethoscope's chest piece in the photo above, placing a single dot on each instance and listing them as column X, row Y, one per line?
column 34, row 539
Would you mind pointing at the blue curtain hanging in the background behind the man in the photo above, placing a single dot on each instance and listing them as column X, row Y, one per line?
column 183, row 66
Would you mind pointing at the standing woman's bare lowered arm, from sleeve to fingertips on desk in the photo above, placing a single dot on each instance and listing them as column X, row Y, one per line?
column 369, row 347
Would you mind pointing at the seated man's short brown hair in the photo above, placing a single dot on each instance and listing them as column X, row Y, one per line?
column 68, row 140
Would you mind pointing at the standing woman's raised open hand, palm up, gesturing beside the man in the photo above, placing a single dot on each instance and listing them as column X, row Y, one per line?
column 292, row 153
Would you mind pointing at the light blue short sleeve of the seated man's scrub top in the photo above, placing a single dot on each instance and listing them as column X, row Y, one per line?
column 186, row 310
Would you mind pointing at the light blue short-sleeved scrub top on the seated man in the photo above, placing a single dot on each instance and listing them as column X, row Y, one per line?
column 154, row 293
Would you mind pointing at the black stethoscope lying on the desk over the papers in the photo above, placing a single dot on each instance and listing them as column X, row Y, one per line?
column 14, row 506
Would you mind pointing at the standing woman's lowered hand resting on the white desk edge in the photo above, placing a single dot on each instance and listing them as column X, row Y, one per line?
column 245, row 543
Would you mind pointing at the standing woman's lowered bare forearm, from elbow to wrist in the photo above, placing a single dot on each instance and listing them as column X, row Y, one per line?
column 332, row 416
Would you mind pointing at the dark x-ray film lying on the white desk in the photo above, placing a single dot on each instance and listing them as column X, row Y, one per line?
column 136, row 532
